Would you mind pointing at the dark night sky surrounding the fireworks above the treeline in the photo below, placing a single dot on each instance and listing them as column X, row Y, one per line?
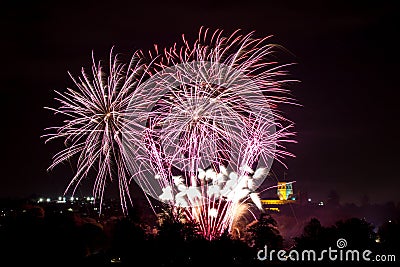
column 347, row 62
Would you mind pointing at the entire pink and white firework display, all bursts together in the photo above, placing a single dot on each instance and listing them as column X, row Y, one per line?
column 196, row 126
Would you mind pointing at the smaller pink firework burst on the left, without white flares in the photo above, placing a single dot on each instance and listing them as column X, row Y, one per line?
column 95, row 112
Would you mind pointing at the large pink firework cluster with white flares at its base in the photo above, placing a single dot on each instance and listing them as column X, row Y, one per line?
column 212, row 125
